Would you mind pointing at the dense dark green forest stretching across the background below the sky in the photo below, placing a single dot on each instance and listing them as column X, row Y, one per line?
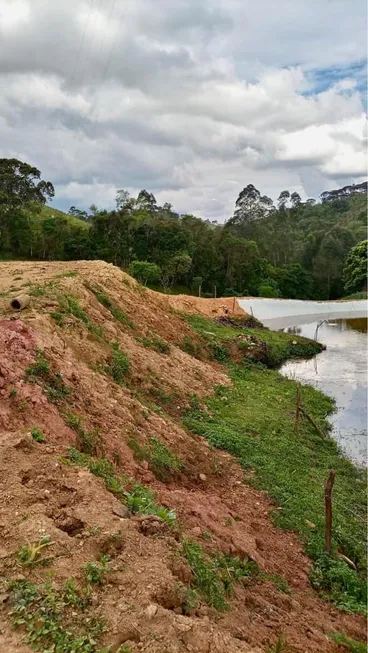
column 313, row 249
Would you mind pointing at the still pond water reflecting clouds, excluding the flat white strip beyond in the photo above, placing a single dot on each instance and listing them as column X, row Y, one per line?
column 341, row 372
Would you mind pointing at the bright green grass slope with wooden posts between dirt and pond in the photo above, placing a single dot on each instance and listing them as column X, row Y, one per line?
column 254, row 420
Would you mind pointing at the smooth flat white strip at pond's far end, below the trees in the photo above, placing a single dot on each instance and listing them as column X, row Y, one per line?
column 282, row 313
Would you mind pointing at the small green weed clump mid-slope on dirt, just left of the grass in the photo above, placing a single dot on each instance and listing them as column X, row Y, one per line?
column 164, row 464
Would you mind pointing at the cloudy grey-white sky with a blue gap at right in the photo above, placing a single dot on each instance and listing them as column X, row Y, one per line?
column 190, row 99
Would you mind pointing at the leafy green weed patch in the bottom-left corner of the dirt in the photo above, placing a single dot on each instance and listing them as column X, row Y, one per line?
column 55, row 619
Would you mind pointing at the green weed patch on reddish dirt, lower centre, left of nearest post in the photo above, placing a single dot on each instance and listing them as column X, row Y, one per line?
column 214, row 575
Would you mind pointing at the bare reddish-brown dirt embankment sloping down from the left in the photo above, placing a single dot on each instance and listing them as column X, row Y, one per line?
column 144, row 597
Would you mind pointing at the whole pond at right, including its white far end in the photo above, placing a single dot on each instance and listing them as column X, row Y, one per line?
column 340, row 371
